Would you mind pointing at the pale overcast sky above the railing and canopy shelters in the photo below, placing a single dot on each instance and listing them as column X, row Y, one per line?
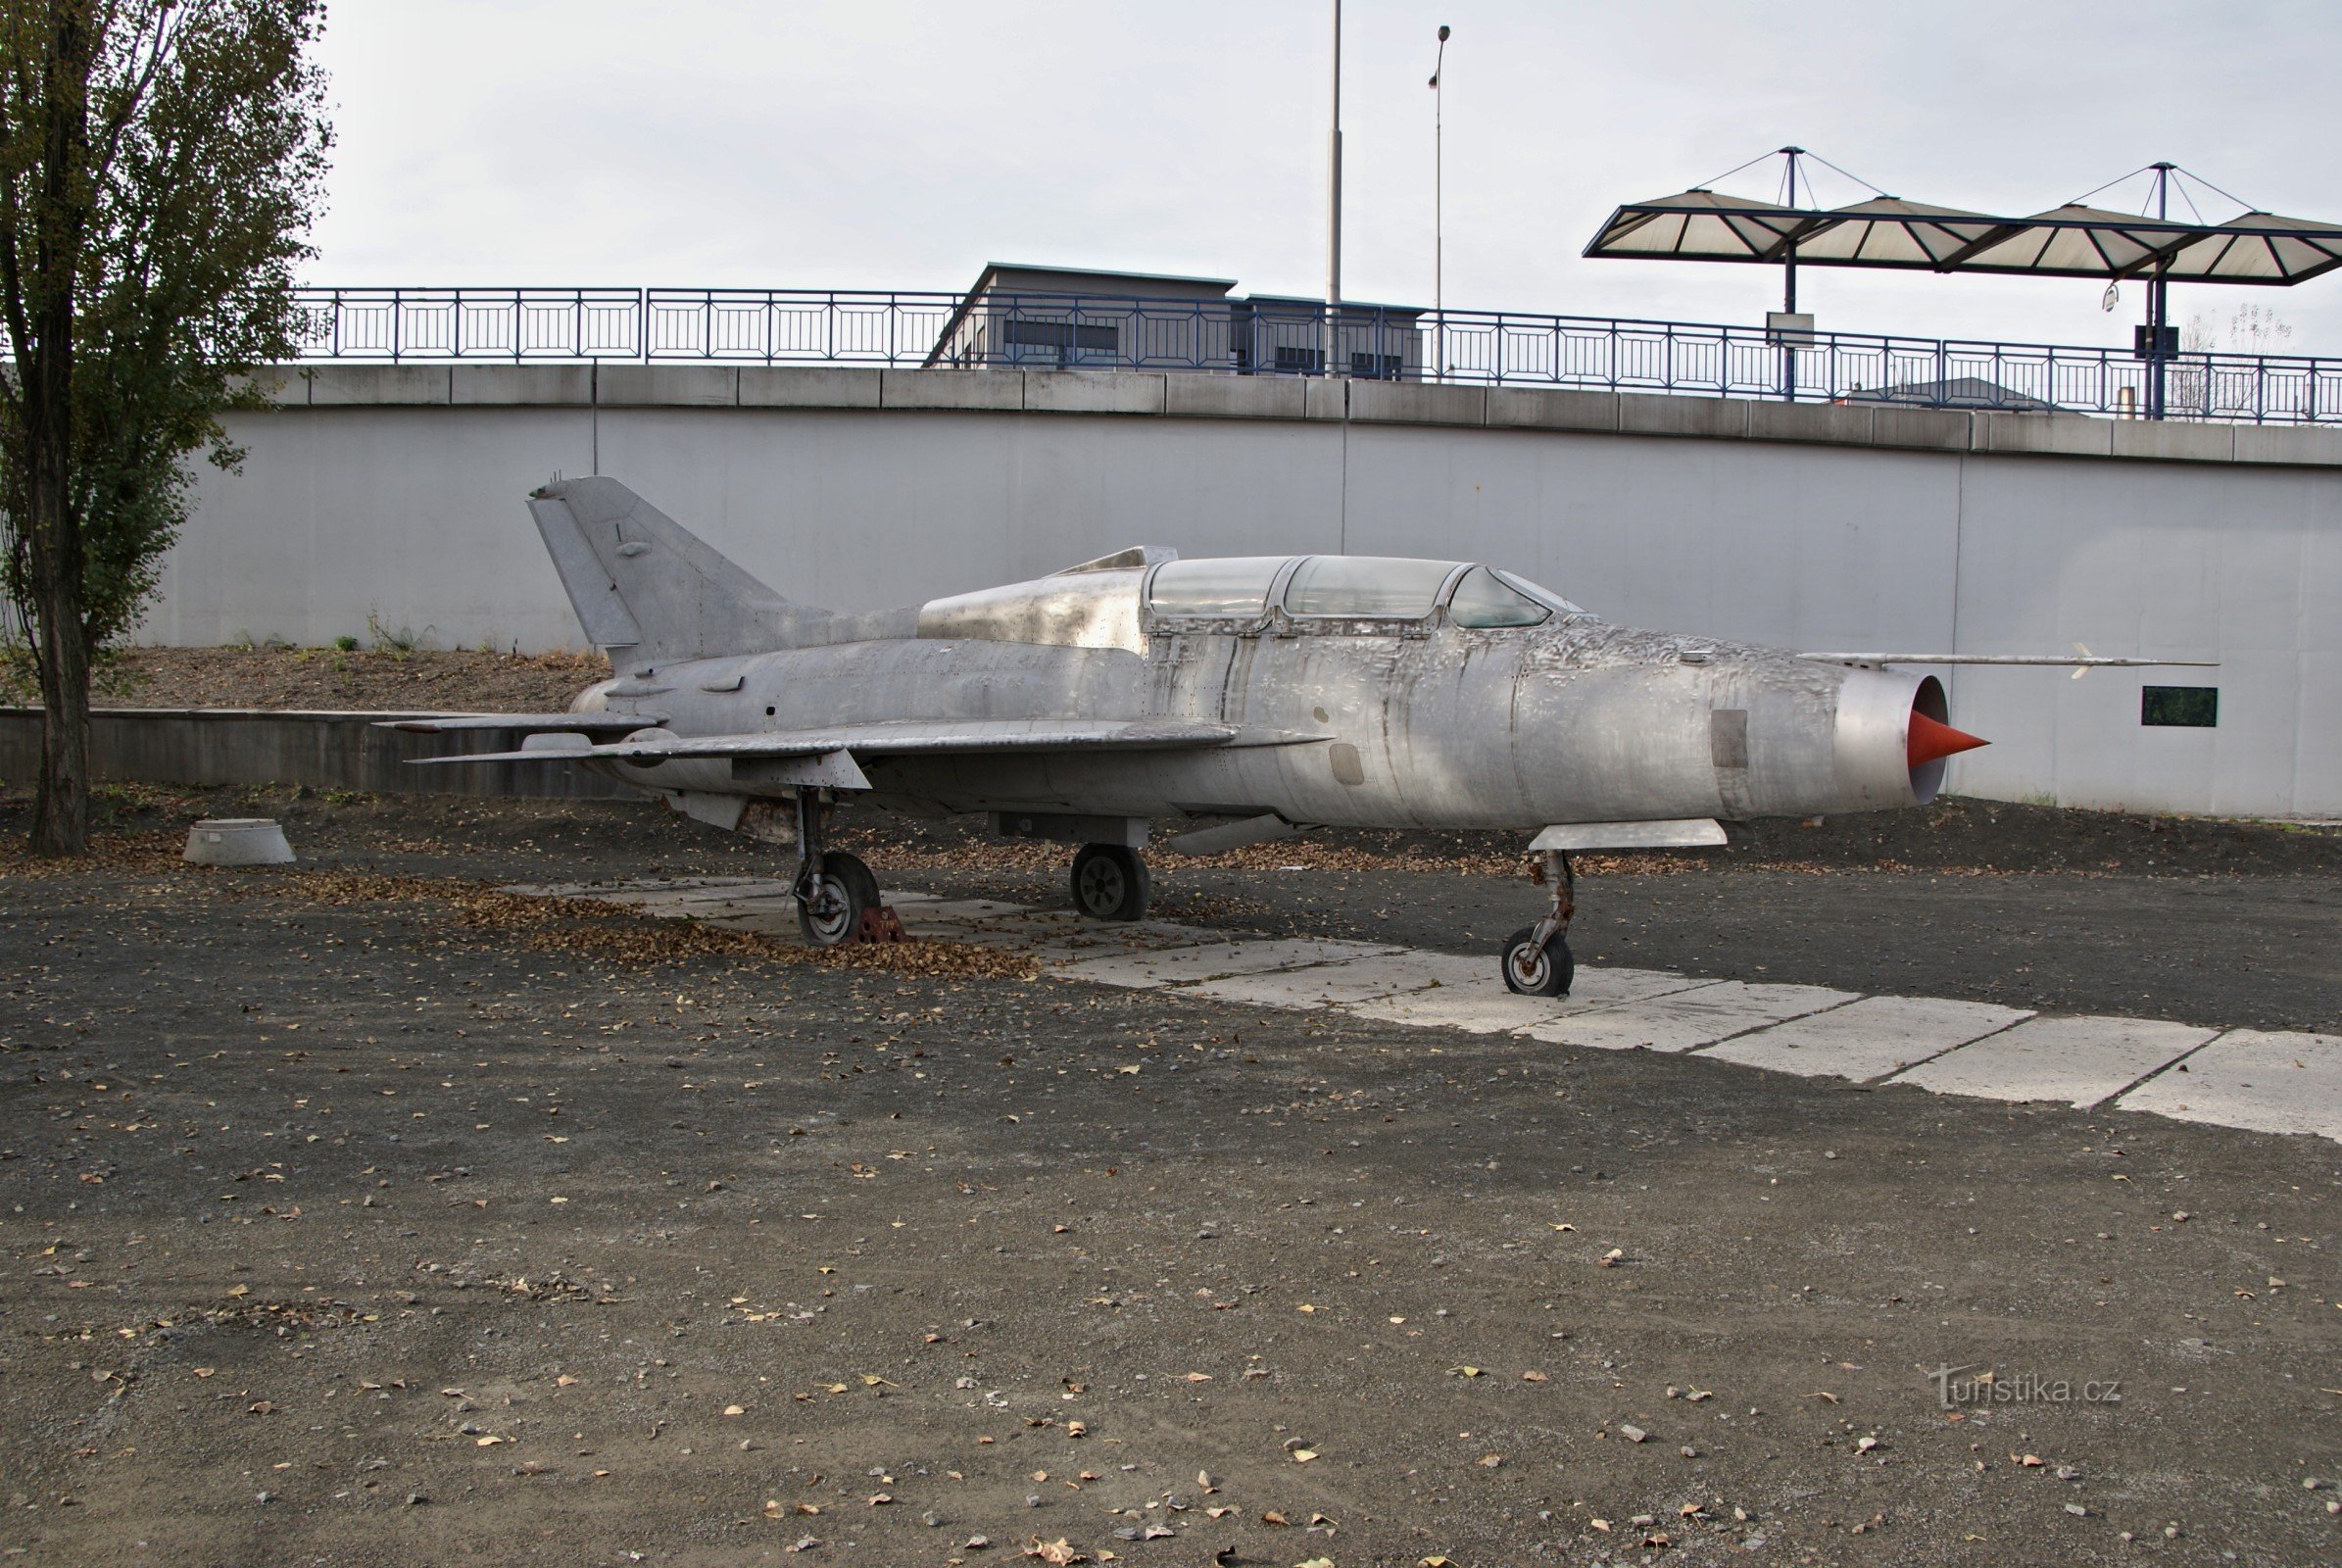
column 903, row 144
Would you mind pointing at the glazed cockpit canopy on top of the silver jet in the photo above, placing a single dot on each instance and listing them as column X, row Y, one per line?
column 1350, row 589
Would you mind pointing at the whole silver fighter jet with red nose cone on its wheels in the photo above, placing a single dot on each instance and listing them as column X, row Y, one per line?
column 1240, row 700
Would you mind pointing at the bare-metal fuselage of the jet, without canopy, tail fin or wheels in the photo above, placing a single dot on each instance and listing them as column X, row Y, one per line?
column 1364, row 723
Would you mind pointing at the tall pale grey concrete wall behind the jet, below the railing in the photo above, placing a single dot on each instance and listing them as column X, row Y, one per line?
column 392, row 496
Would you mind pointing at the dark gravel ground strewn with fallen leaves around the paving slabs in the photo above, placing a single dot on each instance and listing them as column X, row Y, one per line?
column 357, row 1215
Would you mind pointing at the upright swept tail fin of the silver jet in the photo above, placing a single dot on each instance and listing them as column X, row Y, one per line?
column 648, row 589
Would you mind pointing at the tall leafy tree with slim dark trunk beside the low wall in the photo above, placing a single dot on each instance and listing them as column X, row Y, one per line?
column 160, row 165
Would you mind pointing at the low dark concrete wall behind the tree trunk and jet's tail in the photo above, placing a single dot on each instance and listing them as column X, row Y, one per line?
column 324, row 751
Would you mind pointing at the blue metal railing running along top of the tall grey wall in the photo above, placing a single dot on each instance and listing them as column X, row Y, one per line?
column 833, row 327
